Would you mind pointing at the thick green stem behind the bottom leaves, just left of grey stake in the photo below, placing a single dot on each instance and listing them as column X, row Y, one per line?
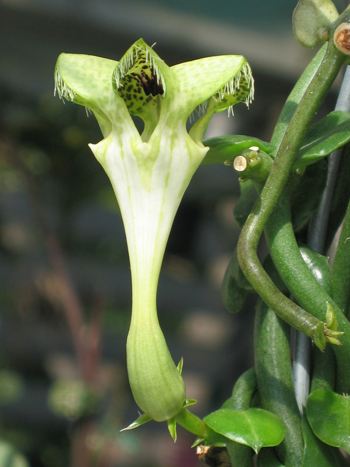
column 274, row 377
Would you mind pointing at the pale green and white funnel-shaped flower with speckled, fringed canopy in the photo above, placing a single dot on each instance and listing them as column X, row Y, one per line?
column 149, row 173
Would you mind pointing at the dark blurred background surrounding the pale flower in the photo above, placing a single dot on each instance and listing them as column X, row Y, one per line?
column 64, row 273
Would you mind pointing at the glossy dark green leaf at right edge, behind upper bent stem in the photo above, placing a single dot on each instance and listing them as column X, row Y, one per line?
column 327, row 135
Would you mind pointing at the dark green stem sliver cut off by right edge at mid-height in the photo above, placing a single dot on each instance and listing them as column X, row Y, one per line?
column 340, row 272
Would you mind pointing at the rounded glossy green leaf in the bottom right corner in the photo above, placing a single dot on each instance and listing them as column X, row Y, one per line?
column 329, row 416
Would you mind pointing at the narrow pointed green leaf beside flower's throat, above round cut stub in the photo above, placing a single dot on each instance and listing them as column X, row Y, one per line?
column 223, row 149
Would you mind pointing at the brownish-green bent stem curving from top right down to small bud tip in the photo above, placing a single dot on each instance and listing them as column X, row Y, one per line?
column 277, row 180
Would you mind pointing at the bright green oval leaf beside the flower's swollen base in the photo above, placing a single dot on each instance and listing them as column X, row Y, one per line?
column 256, row 428
